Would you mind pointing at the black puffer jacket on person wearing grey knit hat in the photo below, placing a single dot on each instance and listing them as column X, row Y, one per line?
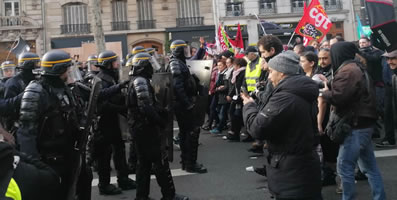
column 288, row 123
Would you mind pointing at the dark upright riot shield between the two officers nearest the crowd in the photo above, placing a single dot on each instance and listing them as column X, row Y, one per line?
column 162, row 84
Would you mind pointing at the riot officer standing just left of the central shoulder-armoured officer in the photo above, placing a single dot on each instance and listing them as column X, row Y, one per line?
column 109, row 137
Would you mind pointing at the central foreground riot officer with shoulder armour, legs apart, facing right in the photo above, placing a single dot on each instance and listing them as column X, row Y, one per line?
column 146, row 119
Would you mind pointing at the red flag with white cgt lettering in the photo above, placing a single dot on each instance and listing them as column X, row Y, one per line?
column 315, row 23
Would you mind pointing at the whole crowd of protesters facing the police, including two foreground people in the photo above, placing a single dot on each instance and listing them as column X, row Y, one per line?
column 246, row 102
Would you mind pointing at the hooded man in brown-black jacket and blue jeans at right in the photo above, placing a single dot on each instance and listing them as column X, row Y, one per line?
column 357, row 106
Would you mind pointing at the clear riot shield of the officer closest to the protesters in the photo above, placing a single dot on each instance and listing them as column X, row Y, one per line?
column 202, row 70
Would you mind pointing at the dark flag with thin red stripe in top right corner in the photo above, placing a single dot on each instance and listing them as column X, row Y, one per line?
column 383, row 24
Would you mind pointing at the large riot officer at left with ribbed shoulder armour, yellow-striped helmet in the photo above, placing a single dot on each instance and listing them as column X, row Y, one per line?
column 49, row 123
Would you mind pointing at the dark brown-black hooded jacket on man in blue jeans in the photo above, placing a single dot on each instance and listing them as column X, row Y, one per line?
column 349, row 88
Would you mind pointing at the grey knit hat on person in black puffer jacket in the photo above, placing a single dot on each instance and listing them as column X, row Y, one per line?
column 286, row 62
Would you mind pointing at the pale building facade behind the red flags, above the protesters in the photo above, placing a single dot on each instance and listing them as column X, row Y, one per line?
column 281, row 17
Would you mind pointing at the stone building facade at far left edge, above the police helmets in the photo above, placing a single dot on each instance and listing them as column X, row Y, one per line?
column 20, row 18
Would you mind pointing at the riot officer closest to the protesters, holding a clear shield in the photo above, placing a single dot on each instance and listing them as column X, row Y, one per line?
column 185, row 89
